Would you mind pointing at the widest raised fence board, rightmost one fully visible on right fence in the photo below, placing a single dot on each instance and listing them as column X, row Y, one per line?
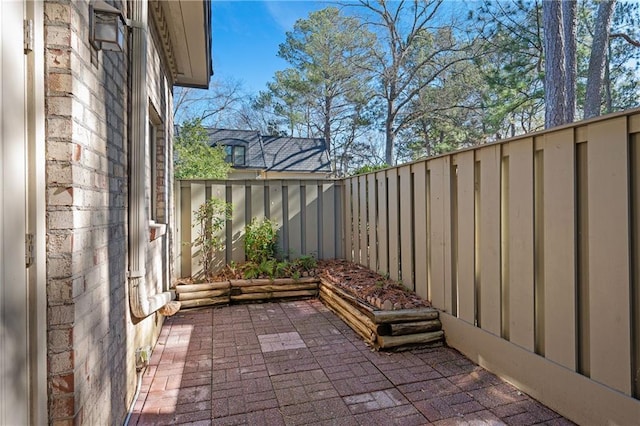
column 609, row 285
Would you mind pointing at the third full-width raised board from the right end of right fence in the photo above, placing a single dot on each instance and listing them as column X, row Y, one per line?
column 520, row 244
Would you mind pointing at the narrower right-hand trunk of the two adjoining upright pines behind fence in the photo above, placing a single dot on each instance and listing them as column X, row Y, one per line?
column 569, row 19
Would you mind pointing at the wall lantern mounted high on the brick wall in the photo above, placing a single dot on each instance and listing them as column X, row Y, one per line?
column 106, row 27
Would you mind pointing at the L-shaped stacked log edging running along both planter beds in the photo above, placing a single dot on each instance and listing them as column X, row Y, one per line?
column 382, row 329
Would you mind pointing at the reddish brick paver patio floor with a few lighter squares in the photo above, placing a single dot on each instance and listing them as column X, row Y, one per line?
column 296, row 363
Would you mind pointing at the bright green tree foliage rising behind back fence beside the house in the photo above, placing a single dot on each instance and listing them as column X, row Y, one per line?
column 194, row 158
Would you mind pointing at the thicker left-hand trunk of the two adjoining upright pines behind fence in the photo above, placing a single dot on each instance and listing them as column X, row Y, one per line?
column 554, row 64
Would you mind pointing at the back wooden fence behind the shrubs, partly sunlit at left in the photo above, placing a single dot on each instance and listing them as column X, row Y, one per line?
column 309, row 213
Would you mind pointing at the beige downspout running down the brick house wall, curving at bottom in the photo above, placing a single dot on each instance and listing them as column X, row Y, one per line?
column 142, row 302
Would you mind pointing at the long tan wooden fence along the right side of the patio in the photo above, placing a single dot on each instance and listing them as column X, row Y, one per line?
column 531, row 248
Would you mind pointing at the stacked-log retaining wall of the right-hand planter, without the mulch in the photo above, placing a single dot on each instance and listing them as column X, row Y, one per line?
column 383, row 329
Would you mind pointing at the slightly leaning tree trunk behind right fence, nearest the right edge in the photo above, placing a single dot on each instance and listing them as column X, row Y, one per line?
column 593, row 98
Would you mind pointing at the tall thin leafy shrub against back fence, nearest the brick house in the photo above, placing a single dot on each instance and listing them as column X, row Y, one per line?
column 210, row 218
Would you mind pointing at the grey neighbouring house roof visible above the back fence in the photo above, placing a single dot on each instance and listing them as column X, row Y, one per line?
column 276, row 153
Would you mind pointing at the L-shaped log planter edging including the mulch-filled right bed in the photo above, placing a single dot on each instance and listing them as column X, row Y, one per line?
column 382, row 312
